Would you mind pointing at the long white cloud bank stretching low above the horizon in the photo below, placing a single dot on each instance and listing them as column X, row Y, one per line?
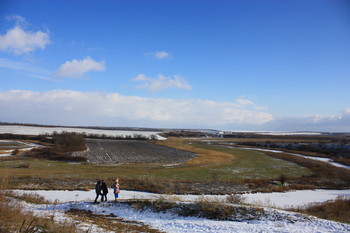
column 82, row 108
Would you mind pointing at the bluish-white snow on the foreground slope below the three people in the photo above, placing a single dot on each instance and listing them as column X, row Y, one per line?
column 276, row 221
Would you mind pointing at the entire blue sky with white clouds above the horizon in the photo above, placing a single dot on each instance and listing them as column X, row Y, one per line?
column 234, row 65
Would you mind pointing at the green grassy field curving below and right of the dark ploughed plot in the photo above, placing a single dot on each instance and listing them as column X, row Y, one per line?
column 246, row 164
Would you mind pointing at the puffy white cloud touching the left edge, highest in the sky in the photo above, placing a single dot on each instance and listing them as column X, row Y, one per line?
column 19, row 41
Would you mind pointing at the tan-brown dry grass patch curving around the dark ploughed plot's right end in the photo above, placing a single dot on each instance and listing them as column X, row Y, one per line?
column 203, row 156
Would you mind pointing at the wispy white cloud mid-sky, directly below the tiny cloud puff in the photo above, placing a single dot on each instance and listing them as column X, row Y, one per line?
column 162, row 82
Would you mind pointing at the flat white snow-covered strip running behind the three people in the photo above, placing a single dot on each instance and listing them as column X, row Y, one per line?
column 297, row 198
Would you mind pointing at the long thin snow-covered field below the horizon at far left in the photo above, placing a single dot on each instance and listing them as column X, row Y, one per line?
column 32, row 130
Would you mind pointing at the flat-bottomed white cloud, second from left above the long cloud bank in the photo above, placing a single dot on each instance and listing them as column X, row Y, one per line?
column 76, row 69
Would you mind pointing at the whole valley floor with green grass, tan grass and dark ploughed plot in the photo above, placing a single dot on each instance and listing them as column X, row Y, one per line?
column 176, row 165
